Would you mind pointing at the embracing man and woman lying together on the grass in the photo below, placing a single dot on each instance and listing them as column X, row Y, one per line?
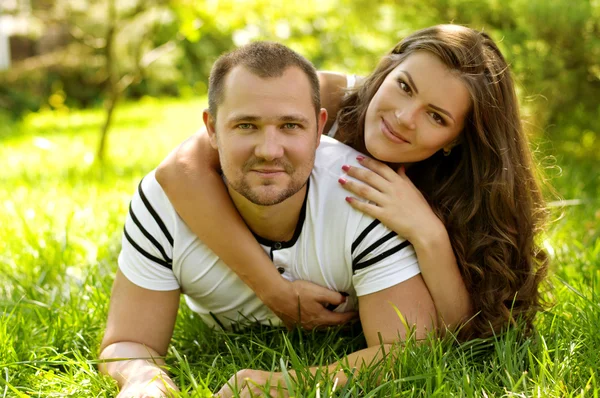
column 426, row 206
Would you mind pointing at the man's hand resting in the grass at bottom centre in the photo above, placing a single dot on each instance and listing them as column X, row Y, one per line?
column 251, row 383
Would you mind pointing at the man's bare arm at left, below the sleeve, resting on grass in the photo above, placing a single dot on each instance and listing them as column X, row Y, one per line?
column 140, row 325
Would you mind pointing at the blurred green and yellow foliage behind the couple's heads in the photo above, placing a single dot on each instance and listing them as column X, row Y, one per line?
column 553, row 48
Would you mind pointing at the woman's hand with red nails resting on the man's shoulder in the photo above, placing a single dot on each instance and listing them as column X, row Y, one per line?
column 396, row 202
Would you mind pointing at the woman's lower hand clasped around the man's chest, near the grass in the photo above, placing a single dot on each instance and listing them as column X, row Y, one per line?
column 305, row 303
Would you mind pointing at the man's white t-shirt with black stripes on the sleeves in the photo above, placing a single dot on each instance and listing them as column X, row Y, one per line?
column 334, row 246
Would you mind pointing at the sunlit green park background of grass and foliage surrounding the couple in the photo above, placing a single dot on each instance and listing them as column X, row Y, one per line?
column 95, row 93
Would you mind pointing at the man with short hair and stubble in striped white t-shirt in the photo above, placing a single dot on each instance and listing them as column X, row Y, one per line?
column 265, row 120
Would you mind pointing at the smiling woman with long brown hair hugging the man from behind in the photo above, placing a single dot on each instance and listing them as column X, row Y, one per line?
column 459, row 184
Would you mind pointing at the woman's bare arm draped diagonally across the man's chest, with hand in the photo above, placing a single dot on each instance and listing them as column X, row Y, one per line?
column 190, row 179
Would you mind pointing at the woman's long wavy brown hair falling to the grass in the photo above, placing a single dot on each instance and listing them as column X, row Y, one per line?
column 485, row 192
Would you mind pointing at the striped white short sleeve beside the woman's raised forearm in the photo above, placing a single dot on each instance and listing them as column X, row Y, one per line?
column 380, row 259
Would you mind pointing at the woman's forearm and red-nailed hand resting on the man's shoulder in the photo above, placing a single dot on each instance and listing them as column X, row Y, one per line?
column 398, row 204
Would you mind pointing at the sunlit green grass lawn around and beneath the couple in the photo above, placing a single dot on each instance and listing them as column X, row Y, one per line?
column 61, row 221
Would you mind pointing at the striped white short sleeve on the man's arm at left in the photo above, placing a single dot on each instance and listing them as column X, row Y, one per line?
column 146, row 256
